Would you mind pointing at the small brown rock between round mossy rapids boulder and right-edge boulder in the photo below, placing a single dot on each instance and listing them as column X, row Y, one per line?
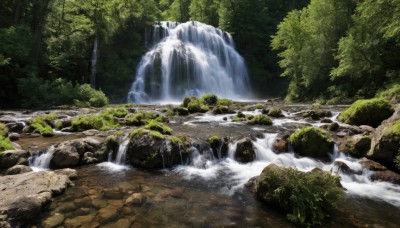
column 357, row 145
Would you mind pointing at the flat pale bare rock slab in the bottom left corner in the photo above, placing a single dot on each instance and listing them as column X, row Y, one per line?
column 22, row 196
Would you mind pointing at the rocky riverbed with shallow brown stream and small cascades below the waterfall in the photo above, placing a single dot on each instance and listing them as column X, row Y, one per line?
column 185, row 178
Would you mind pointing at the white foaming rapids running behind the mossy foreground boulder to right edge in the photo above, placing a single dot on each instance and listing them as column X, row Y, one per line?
column 238, row 174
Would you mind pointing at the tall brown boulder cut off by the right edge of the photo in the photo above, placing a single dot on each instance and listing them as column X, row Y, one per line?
column 386, row 140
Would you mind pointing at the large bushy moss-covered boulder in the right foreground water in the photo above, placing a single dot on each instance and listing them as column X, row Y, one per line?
column 306, row 198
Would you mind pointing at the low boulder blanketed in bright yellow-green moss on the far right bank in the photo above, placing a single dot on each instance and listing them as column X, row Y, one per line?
column 367, row 112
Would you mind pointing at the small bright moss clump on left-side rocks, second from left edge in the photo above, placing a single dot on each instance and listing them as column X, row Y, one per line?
column 42, row 124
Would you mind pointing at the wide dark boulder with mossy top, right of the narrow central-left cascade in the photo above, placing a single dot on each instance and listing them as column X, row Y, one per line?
column 149, row 149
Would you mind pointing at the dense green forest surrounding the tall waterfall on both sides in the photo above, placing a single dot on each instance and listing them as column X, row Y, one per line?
column 333, row 51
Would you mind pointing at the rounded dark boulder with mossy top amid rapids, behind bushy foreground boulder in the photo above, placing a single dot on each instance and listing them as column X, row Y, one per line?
column 312, row 142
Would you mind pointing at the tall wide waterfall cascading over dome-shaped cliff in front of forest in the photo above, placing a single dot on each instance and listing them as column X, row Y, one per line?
column 189, row 59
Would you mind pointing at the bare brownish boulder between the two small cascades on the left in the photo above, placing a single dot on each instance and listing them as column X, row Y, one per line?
column 72, row 153
